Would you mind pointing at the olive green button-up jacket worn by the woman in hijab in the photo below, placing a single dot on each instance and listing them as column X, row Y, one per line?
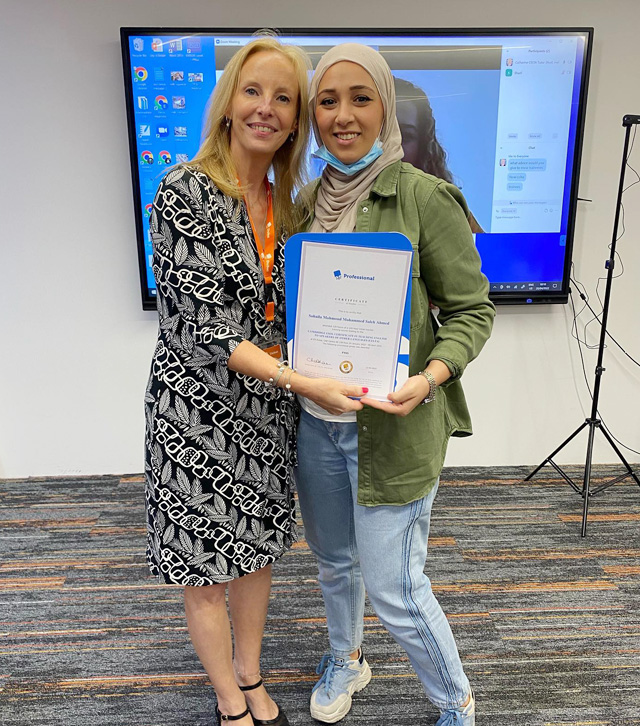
column 400, row 458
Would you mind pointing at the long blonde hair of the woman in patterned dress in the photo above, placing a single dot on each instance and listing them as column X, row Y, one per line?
column 214, row 155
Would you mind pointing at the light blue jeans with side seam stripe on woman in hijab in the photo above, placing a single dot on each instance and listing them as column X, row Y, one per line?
column 381, row 549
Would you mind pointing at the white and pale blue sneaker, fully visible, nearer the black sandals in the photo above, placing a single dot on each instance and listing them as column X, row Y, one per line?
column 341, row 678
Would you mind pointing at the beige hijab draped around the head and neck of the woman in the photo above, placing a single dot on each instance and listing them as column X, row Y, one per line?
column 338, row 194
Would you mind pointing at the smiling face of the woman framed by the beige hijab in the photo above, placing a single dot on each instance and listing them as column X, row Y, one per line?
column 348, row 110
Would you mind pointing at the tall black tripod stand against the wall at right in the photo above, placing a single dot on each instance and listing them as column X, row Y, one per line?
column 593, row 423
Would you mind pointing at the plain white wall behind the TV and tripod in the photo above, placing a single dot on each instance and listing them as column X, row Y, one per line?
column 75, row 343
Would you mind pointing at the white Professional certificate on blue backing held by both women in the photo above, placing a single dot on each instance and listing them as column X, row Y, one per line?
column 348, row 308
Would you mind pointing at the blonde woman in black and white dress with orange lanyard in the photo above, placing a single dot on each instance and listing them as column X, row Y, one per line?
column 220, row 417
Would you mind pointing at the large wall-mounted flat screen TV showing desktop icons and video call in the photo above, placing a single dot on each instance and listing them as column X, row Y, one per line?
column 508, row 106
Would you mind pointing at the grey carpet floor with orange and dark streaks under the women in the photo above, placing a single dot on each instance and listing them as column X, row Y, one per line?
column 548, row 623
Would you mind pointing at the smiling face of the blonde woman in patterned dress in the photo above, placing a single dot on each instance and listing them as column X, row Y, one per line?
column 264, row 107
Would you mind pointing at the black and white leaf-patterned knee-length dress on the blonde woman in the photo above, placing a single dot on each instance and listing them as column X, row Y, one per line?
column 219, row 445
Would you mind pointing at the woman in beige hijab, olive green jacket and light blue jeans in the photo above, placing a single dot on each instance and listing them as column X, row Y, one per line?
column 367, row 480
